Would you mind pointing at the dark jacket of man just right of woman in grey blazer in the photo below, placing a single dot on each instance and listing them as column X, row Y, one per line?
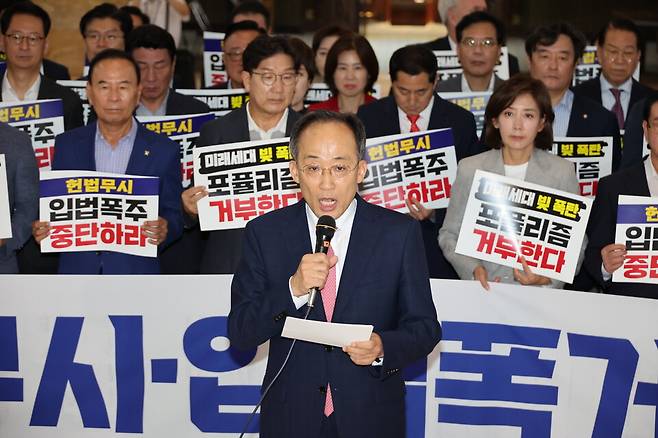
column 591, row 119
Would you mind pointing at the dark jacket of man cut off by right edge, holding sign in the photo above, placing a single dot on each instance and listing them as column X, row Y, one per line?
column 602, row 226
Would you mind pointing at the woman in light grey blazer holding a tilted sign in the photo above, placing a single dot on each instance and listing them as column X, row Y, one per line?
column 518, row 129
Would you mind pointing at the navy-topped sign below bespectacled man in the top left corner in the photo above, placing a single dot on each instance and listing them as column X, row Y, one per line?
column 42, row 120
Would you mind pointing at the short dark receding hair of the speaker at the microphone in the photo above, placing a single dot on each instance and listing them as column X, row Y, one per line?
column 322, row 116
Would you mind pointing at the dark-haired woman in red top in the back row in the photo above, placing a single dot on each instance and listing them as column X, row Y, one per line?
column 350, row 71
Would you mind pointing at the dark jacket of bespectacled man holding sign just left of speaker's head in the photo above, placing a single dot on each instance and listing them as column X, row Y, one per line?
column 222, row 252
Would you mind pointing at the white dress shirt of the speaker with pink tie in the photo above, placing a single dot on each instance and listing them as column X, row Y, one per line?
column 339, row 243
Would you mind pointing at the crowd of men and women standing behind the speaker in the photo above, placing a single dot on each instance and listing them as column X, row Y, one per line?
column 131, row 69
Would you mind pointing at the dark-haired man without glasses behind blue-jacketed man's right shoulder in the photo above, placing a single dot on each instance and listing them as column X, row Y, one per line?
column 154, row 51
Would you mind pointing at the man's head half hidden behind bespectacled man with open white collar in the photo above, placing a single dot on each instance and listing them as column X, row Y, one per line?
column 236, row 39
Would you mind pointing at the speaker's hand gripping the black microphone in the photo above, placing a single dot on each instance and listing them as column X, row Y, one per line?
column 313, row 269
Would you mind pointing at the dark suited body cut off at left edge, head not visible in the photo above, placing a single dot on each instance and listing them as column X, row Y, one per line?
column 23, row 192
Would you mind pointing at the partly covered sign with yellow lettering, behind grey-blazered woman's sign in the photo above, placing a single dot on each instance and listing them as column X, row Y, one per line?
column 592, row 157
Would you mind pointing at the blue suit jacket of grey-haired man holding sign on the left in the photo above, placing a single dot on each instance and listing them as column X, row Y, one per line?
column 75, row 150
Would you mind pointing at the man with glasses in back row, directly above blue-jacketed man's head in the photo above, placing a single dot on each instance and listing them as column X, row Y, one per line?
column 104, row 27
